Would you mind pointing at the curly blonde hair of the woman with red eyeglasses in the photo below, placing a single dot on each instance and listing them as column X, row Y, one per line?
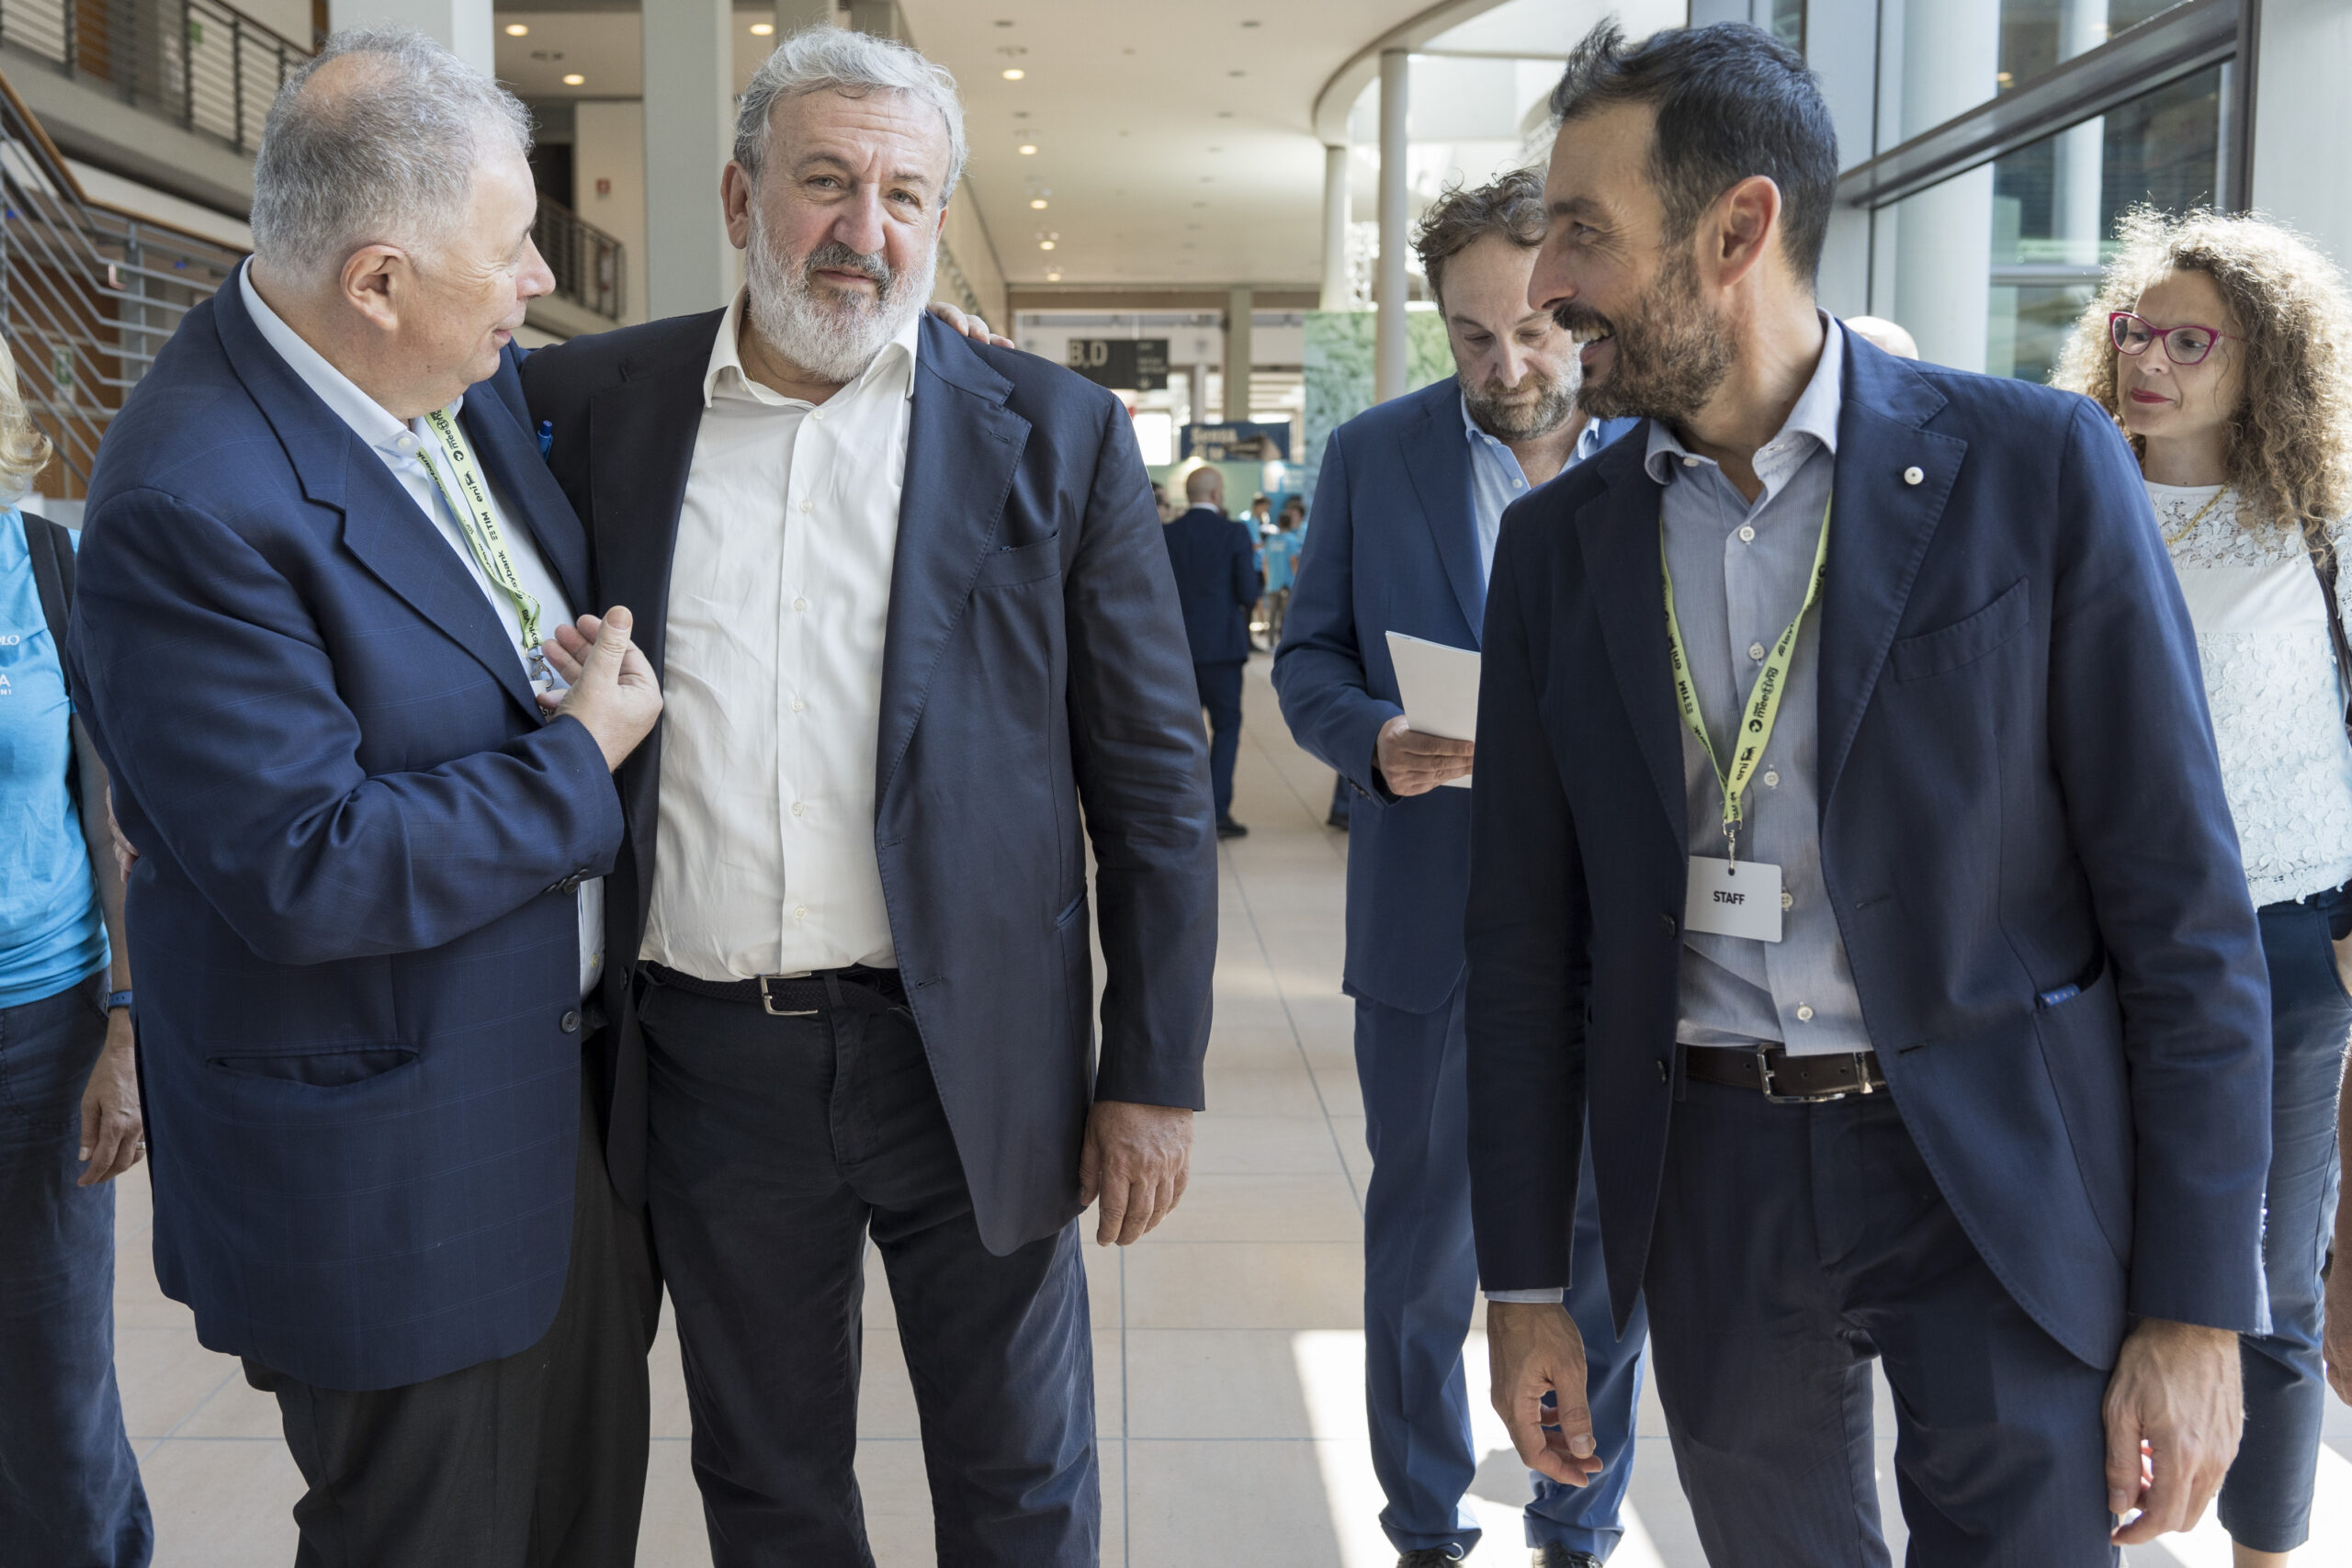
column 2290, row 450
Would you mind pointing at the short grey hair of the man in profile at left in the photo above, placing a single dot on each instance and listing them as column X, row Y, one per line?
column 387, row 156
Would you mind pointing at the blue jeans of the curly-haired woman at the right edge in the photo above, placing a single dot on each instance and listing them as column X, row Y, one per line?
column 2269, row 1499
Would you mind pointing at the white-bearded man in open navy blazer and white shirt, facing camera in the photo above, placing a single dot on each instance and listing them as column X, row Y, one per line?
column 918, row 631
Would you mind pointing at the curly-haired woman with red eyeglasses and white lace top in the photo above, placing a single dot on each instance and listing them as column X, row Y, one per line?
column 2221, row 347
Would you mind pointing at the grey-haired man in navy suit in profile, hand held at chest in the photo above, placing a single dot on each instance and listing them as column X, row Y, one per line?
column 321, row 558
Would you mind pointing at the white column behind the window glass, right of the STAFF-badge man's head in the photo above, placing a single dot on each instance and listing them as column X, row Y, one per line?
column 1944, row 236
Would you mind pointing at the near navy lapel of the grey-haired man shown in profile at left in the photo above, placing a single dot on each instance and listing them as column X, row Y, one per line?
column 382, row 523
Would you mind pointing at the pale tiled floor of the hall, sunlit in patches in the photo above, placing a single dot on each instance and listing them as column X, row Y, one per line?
column 1227, row 1346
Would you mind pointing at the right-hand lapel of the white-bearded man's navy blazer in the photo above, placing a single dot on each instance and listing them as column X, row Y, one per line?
column 961, row 455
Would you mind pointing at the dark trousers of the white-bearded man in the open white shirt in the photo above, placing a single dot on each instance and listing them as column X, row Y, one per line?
column 777, row 1148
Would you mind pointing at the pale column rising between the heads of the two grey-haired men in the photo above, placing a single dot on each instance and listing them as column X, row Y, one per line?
column 688, row 138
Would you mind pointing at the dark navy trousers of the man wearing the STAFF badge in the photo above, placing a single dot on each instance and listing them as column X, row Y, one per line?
column 1798, row 1242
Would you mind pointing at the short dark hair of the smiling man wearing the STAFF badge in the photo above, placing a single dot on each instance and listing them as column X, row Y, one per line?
column 1732, row 102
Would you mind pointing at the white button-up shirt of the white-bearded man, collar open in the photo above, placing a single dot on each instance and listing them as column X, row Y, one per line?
column 773, row 676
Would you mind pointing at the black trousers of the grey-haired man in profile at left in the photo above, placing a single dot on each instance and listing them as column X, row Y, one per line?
column 535, row 1461
